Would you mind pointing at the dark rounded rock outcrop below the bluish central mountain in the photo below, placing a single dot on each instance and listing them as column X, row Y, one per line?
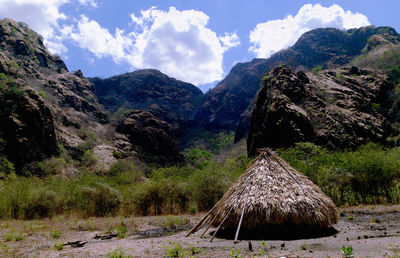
column 151, row 138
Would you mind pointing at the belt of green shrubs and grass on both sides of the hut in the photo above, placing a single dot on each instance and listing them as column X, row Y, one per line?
column 370, row 174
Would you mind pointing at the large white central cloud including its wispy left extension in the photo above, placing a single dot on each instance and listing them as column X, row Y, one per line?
column 176, row 42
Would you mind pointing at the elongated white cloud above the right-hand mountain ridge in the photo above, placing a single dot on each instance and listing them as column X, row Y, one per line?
column 272, row 36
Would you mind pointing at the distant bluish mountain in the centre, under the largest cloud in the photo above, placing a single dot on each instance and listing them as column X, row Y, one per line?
column 169, row 99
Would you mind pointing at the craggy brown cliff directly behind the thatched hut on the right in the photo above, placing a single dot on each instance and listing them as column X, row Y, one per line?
column 339, row 108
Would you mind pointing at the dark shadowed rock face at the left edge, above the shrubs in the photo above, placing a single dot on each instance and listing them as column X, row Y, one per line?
column 26, row 127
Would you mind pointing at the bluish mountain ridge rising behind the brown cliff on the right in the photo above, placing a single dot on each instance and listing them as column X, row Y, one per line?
column 329, row 48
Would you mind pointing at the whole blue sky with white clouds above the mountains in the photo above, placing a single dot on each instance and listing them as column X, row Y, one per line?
column 194, row 41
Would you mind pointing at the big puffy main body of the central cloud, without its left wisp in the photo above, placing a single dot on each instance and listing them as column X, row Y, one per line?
column 180, row 44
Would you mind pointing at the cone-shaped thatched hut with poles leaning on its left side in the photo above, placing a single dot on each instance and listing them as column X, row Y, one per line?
column 271, row 200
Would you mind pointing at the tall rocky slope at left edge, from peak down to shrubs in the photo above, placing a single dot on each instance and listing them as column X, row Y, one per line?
column 42, row 104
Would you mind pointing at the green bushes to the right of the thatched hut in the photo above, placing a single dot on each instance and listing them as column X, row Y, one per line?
column 366, row 175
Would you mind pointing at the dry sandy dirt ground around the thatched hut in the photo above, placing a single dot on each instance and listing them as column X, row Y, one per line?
column 372, row 231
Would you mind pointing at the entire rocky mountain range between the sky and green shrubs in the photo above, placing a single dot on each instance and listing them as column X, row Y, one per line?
column 45, row 109
